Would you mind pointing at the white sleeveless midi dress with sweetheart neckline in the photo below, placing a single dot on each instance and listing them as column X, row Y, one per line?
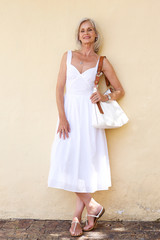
column 80, row 163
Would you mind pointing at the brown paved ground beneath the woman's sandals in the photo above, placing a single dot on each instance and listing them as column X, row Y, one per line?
column 58, row 230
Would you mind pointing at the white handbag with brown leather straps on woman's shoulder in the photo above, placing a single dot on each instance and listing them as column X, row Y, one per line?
column 108, row 114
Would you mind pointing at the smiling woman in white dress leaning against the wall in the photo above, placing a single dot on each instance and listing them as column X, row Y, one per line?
column 79, row 157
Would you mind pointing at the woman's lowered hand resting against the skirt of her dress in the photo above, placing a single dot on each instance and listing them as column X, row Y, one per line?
column 63, row 128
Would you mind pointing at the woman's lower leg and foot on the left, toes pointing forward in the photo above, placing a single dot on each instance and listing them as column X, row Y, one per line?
column 77, row 217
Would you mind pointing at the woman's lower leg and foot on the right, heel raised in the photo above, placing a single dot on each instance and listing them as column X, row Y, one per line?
column 93, row 208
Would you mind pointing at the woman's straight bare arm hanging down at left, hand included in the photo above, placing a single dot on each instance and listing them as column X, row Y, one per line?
column 63, row 128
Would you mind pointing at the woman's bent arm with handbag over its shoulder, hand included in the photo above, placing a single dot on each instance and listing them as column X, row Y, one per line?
column 113, row 79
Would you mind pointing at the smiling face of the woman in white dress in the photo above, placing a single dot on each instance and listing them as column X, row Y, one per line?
column 87, row 33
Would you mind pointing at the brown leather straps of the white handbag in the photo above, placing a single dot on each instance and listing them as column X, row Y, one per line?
column 99, row 73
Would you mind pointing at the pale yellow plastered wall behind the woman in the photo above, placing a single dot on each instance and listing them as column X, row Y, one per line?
column 34, row 35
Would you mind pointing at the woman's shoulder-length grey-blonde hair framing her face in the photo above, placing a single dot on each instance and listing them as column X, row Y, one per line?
column 97, row 39
